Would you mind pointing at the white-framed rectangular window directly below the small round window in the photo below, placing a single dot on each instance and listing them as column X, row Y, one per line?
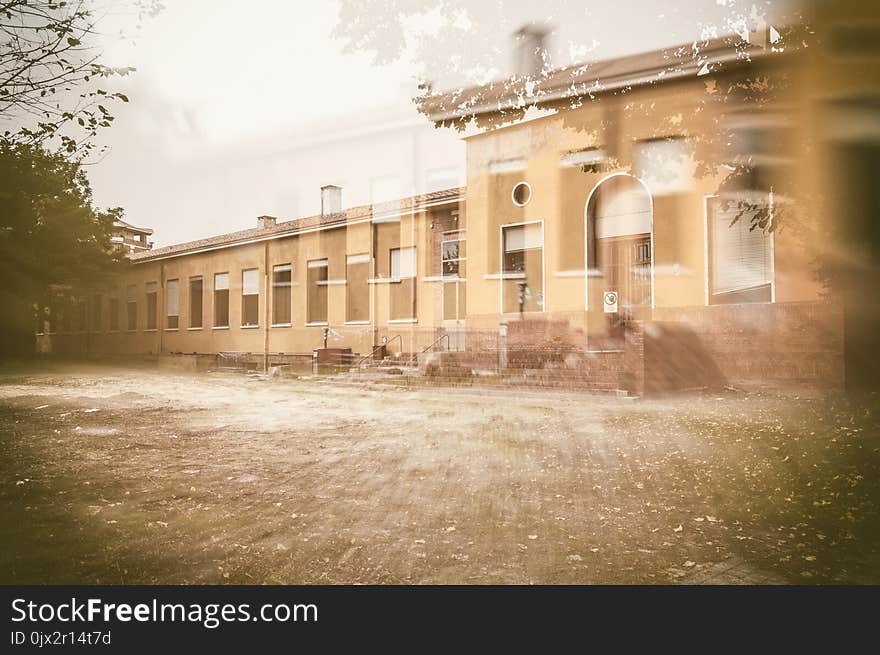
column 523, row 267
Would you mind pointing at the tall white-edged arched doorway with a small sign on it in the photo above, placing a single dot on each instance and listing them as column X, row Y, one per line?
column 618, row 251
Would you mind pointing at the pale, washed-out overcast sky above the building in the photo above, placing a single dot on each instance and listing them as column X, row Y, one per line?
column 232, row 102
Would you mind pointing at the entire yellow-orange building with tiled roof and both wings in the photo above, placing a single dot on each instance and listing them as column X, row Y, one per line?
column 650, row 199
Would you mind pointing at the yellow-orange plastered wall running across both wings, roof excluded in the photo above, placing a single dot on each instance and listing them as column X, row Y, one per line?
column 554, row 223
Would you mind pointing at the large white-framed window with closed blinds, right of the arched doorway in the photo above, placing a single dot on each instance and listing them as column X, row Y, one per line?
column 740, row 261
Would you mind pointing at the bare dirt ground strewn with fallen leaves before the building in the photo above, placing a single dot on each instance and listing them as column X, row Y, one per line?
column 114, row 475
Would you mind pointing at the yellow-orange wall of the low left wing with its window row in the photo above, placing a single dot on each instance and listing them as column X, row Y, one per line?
column 357, row 301
